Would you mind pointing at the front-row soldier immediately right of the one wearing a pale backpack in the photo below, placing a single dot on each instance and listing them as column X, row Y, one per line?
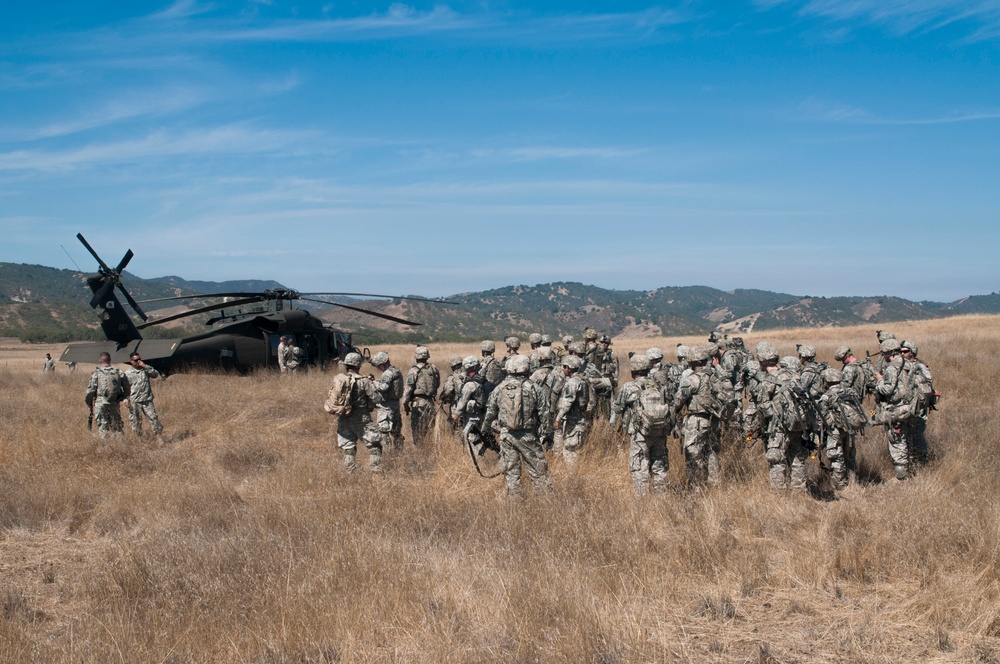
column 700, row 431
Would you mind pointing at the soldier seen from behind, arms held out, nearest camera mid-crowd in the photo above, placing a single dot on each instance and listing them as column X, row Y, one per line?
column 520, row 408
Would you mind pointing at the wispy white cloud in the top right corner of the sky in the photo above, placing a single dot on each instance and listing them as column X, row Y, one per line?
column 905, row 16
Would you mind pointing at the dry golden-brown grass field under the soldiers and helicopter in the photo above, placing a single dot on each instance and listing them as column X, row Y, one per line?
column 242, row 539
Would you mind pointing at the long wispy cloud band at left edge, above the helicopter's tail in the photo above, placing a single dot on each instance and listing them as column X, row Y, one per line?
column 230, row 140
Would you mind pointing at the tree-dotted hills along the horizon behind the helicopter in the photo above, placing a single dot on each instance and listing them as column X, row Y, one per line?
column 46, row 304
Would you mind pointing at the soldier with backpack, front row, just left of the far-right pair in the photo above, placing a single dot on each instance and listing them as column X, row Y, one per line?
column 842, row 415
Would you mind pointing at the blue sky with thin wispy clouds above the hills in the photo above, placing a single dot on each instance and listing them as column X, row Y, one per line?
column 821, row 147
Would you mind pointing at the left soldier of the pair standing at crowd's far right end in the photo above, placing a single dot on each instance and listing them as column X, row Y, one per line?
column 893, row 407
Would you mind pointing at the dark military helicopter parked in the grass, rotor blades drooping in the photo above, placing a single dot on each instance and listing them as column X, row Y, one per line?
column 238, row 340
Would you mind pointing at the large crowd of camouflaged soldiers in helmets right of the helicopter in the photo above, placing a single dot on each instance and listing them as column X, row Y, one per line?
column 528, row 404
